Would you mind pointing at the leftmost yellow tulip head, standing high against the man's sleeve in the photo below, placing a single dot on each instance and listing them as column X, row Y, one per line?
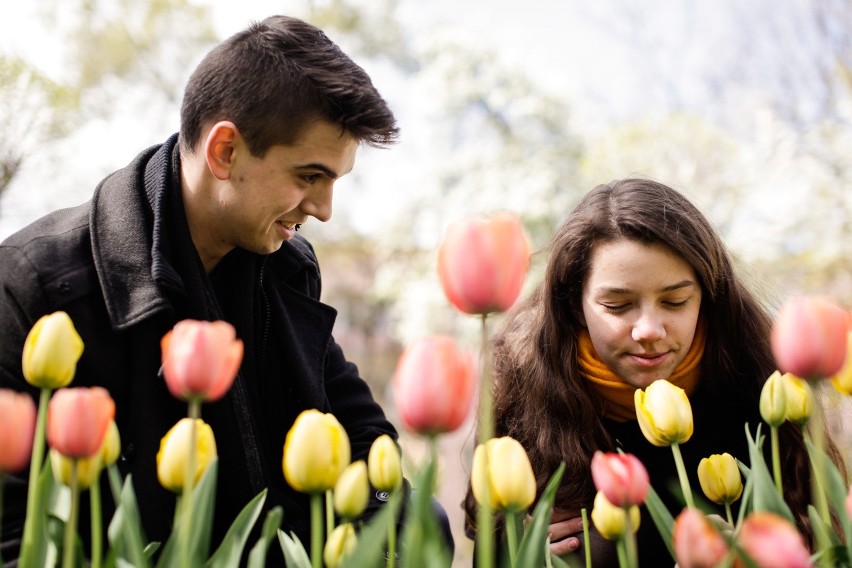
column 51, row 352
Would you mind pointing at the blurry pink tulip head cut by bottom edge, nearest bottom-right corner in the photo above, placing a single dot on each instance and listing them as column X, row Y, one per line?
column 770, row 540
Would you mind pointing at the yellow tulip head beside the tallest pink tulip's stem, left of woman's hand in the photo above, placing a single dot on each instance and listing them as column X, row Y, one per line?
column 506, row 473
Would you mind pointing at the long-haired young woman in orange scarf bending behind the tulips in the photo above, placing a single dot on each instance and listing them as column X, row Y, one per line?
column 638, row 287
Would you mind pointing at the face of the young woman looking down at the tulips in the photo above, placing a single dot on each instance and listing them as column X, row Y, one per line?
column 640, row 305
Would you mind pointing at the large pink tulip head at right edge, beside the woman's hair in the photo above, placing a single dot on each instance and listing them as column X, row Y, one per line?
column 809, row 337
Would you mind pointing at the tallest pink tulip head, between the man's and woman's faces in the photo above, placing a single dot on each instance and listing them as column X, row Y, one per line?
column 482, row 263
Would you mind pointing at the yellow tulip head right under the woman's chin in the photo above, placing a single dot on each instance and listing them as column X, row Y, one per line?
column 664, row 413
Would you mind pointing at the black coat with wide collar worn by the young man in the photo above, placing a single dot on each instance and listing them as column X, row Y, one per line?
column 123, row 267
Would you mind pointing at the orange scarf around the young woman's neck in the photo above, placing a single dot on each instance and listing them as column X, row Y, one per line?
column 617, row 394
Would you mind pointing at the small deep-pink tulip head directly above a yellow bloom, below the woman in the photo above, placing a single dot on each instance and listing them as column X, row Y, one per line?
column 620, row 477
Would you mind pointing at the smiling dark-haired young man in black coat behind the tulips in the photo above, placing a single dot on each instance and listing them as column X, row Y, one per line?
column 204, row 227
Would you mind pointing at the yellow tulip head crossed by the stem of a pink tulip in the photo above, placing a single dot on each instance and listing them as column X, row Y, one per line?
column 174, row 453
